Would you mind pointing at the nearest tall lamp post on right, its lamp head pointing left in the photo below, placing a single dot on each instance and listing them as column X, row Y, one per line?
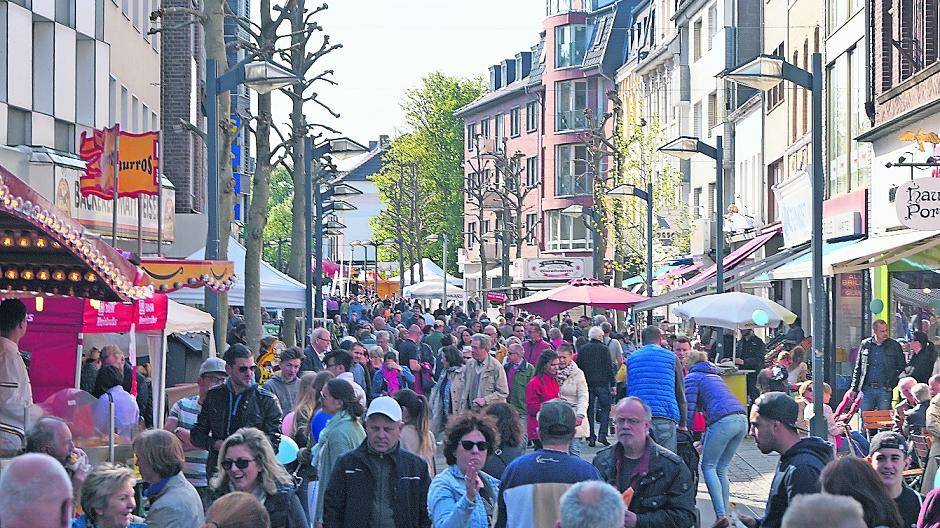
column 763, row 73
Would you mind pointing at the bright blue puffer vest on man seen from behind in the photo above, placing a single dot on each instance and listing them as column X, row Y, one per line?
column 651, row 376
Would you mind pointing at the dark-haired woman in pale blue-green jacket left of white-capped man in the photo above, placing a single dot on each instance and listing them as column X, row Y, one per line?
column 342, row 433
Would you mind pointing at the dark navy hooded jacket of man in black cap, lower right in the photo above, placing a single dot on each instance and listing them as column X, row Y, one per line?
column 797, row 473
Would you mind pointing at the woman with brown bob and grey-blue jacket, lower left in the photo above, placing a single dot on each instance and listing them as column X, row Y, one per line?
column 173, row 500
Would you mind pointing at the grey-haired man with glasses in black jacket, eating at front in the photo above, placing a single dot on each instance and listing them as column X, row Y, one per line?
column 663, row 494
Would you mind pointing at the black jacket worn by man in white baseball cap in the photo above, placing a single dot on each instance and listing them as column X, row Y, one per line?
column 349, row 492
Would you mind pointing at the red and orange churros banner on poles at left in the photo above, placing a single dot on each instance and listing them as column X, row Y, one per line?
column 137, row 158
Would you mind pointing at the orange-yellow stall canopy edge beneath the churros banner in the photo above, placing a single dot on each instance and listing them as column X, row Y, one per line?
column 168, row 275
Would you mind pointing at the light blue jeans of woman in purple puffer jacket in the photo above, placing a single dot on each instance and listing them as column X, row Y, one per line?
column 719, row 445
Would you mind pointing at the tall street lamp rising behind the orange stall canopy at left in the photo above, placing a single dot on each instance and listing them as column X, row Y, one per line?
column 262, row 77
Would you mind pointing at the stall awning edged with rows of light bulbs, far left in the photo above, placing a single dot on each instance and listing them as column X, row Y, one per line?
column 44, row 251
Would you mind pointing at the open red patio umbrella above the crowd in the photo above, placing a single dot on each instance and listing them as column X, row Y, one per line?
column 578, row 292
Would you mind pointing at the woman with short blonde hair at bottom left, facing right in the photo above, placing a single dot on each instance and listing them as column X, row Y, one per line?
column 108, row 499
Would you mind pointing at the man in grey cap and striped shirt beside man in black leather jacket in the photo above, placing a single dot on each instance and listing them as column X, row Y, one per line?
column 182, row 419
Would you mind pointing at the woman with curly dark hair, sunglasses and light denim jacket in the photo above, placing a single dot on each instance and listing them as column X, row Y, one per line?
column 463, row 495
